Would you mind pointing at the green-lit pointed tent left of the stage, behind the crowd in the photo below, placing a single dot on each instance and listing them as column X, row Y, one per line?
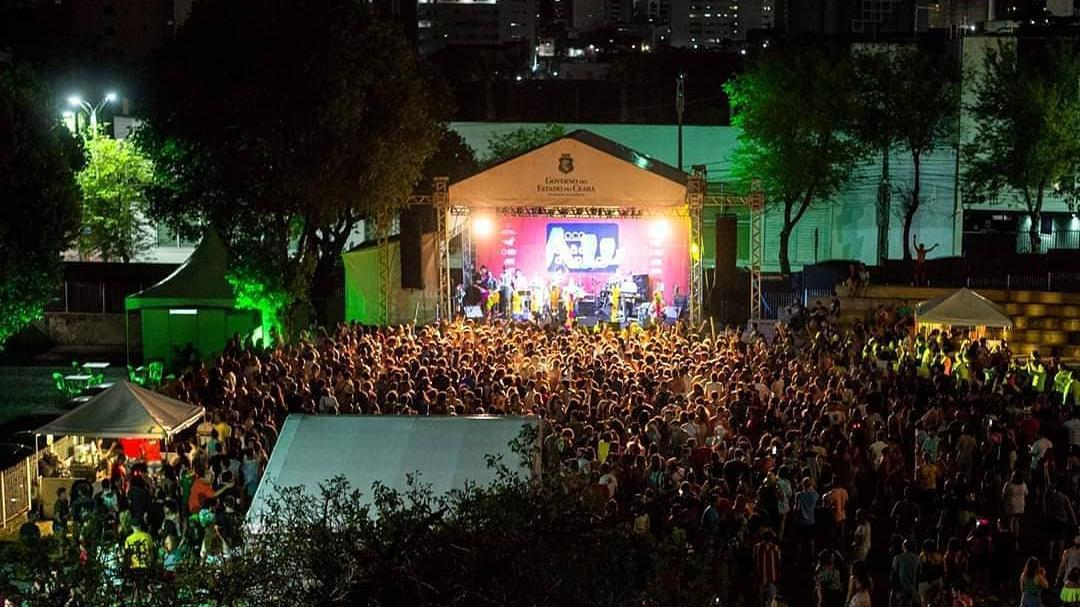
column 196, row 306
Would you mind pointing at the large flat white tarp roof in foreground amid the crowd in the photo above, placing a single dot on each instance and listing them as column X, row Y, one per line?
column 448, row 452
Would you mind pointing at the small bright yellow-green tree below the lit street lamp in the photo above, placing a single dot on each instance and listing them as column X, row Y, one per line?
column 114, row 187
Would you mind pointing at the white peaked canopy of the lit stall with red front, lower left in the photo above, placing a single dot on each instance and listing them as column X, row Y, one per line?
column 126, row 411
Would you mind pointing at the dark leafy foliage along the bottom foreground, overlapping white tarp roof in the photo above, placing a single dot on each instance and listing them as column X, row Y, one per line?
column 520, row 542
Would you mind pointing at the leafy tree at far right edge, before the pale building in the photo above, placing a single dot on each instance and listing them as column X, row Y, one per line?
column 1028, row 119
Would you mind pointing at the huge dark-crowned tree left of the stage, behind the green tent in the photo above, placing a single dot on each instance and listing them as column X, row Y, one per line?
column 285, row 125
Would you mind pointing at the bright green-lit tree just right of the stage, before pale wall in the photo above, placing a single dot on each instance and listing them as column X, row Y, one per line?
column 795, row 114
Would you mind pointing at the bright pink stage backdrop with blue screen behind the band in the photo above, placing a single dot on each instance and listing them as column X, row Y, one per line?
column 589, row 252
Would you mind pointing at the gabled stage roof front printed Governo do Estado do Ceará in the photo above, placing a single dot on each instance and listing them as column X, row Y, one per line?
column 578, row 170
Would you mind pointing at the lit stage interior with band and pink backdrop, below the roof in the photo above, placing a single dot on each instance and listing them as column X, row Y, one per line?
column 552, row 269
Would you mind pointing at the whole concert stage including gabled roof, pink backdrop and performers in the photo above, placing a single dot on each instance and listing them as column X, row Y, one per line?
column 580, row 231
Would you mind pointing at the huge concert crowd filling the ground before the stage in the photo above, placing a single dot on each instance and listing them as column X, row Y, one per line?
column 854, row 464
